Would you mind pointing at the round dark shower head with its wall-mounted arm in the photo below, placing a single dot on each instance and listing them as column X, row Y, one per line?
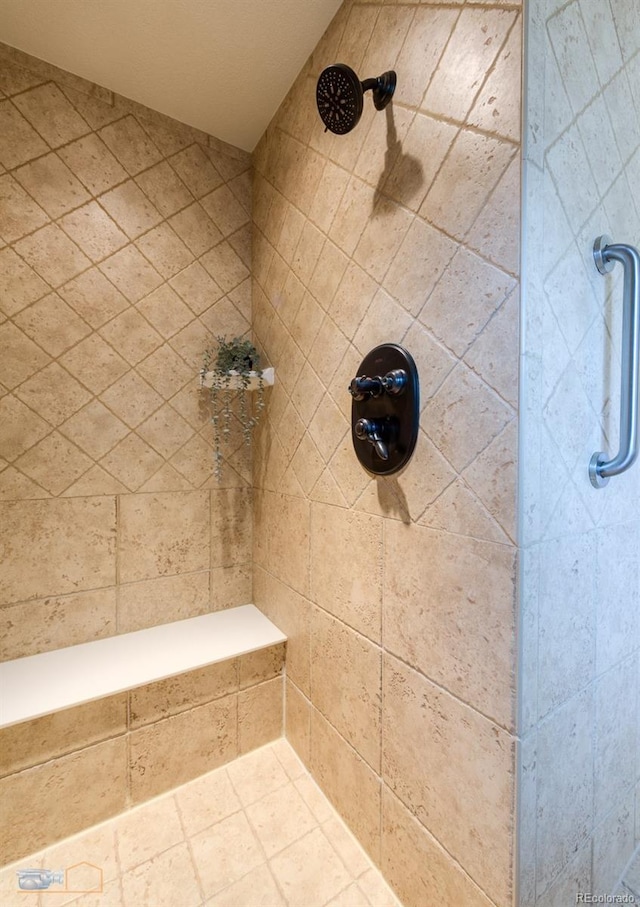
column 340, row 94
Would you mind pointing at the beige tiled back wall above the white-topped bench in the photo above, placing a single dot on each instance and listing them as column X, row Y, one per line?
column 124, row 245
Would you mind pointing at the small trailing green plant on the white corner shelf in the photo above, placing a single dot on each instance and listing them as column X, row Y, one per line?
column 230, row 365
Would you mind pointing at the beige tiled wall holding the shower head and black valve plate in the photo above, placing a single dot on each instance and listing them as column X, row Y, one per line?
column 397, row 595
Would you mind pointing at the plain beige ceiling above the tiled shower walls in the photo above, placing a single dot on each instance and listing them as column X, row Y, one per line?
column 223, row 66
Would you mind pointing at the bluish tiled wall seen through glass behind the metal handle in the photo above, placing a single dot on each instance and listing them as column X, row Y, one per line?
column 581, row 574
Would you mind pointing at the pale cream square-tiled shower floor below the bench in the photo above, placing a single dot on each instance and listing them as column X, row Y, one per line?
column 255, row 833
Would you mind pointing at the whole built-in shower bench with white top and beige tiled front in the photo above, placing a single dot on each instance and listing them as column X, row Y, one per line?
column 89, row 731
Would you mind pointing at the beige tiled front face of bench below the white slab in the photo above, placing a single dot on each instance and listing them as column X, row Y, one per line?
column 65, row 772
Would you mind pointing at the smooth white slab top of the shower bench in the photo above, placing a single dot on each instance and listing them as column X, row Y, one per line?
column 41, row 684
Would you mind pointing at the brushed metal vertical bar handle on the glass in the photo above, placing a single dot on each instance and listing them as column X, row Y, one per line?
column 606, row 255
